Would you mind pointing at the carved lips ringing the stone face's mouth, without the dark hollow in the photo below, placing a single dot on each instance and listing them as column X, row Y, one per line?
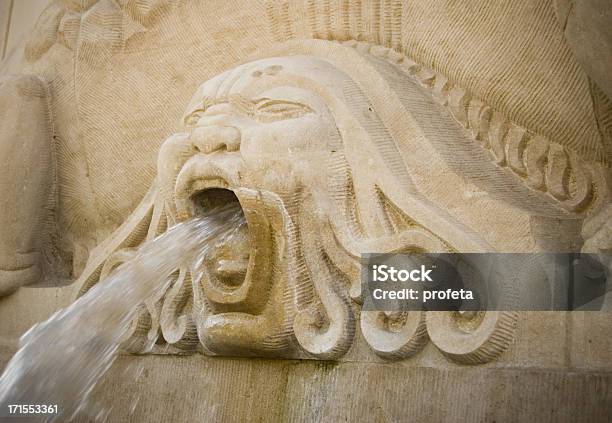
column 227, row 285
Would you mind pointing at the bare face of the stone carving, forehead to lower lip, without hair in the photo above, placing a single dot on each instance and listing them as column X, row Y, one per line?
column 248, row 136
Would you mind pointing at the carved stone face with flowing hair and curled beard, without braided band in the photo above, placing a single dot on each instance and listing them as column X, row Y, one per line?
column 316, row 153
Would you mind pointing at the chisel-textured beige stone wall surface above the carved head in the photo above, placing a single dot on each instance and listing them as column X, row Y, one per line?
column 134, row 108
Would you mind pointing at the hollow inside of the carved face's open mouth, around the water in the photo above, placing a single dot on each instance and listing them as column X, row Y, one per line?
column 228, row 259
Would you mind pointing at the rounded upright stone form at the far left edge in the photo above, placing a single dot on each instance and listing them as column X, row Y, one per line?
column 28, row 195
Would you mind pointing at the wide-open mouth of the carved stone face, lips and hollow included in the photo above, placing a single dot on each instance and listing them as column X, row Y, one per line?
column 237, row 271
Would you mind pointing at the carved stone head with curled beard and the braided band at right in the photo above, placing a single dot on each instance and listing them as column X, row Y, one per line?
column 324, row 146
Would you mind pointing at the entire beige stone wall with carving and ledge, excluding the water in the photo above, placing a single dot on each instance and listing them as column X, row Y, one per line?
column 340, row 127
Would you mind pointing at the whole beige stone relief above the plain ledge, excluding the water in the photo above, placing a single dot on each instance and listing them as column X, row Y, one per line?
column 348, row 128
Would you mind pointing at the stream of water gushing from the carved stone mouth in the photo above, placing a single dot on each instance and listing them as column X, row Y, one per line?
column 61, row 359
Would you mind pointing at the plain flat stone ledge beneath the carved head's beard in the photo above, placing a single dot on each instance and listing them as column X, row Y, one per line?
column 222, row 389
